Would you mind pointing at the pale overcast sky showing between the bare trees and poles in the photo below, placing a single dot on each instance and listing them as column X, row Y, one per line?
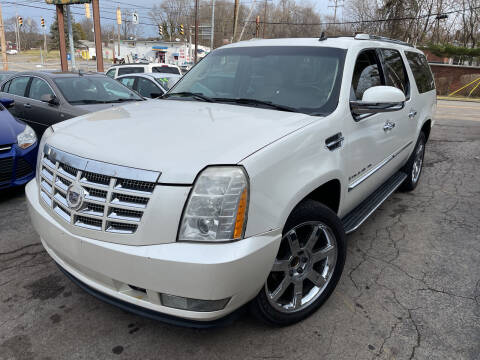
column 38, row 8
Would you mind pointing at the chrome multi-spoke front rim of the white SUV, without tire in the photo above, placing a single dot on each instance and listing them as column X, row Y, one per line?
column 303, row 268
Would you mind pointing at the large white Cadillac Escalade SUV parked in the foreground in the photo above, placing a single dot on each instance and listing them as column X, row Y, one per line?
column 240, row 184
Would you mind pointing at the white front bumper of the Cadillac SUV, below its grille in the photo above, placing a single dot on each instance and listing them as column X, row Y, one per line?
column 235, row 270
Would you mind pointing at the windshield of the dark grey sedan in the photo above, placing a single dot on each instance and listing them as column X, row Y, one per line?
column 94, row 90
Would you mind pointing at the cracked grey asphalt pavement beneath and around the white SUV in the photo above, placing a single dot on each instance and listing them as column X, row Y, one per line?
column 410, row 288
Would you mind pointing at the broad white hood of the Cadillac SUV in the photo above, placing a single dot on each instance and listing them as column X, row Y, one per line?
column 177, row 138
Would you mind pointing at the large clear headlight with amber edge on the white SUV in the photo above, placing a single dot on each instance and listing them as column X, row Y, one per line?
column 216, row 209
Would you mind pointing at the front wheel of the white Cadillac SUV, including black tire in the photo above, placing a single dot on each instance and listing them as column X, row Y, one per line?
column 321, row 259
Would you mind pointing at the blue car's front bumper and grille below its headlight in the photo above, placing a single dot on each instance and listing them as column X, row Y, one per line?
column 17, row 166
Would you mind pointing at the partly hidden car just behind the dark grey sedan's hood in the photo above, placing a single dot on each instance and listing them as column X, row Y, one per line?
column 149, row 85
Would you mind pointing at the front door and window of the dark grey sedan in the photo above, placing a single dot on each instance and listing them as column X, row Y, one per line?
column 39, row 114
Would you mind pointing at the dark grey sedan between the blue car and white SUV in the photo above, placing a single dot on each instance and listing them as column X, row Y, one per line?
column 45, row 98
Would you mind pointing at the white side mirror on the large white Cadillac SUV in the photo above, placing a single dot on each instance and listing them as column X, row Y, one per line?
column 378, row 99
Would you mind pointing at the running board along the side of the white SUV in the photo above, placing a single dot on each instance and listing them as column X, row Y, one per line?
column 357, row 216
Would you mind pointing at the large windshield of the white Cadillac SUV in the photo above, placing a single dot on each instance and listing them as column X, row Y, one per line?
column 304, row 79
